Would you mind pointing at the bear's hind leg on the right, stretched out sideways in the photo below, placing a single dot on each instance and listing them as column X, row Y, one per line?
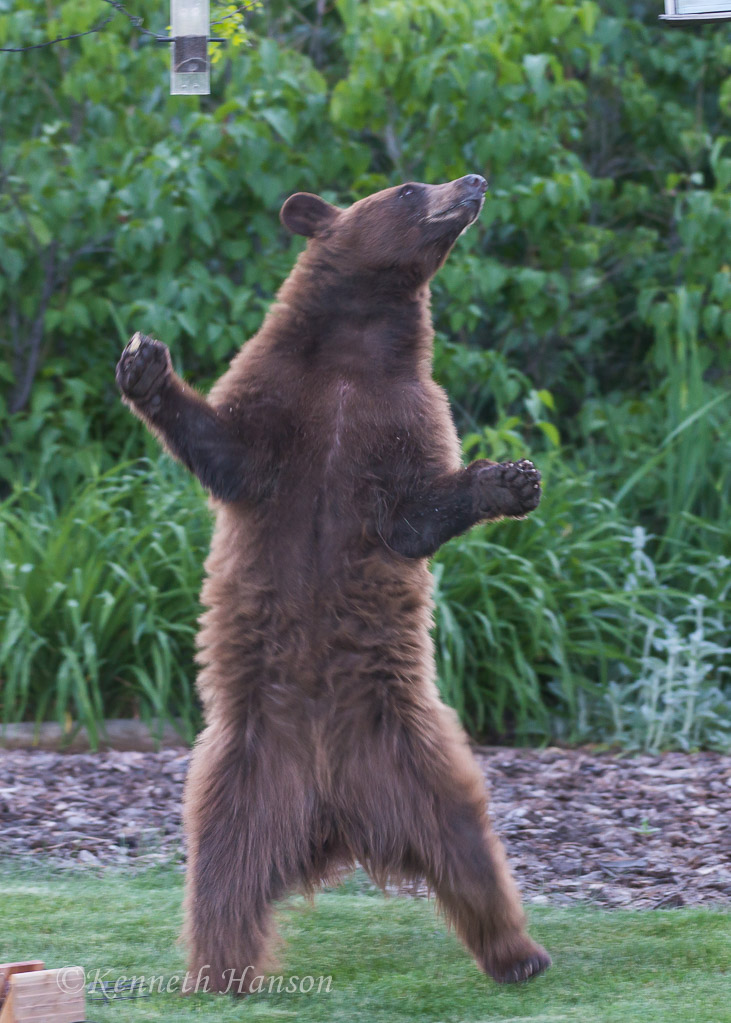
column 424, row 814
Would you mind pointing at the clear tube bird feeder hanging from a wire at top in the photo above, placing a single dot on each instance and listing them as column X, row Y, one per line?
column 191, row 70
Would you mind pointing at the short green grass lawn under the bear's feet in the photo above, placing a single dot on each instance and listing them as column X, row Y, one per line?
column 390, row 960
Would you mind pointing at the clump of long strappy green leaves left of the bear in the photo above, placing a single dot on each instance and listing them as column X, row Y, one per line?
column 100, row 599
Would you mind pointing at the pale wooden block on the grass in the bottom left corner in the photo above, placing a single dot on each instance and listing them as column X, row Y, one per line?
column 32, row 995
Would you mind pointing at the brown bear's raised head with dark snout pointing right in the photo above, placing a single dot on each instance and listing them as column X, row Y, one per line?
column 402, row 235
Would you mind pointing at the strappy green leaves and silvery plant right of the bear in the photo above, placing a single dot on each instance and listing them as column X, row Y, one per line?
column 565, row 627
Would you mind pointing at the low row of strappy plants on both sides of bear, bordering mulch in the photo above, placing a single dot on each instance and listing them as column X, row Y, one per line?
column 558, row 628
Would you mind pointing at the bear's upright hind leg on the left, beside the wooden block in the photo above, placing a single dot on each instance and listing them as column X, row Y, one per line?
column 247, row 824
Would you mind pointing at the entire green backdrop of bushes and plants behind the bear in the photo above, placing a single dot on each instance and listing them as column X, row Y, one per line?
column 585, row 321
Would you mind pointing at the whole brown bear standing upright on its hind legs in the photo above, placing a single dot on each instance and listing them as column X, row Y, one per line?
column 335, row 469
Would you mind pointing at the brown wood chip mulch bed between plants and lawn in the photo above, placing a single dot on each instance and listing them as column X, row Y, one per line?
column 636, row 832
